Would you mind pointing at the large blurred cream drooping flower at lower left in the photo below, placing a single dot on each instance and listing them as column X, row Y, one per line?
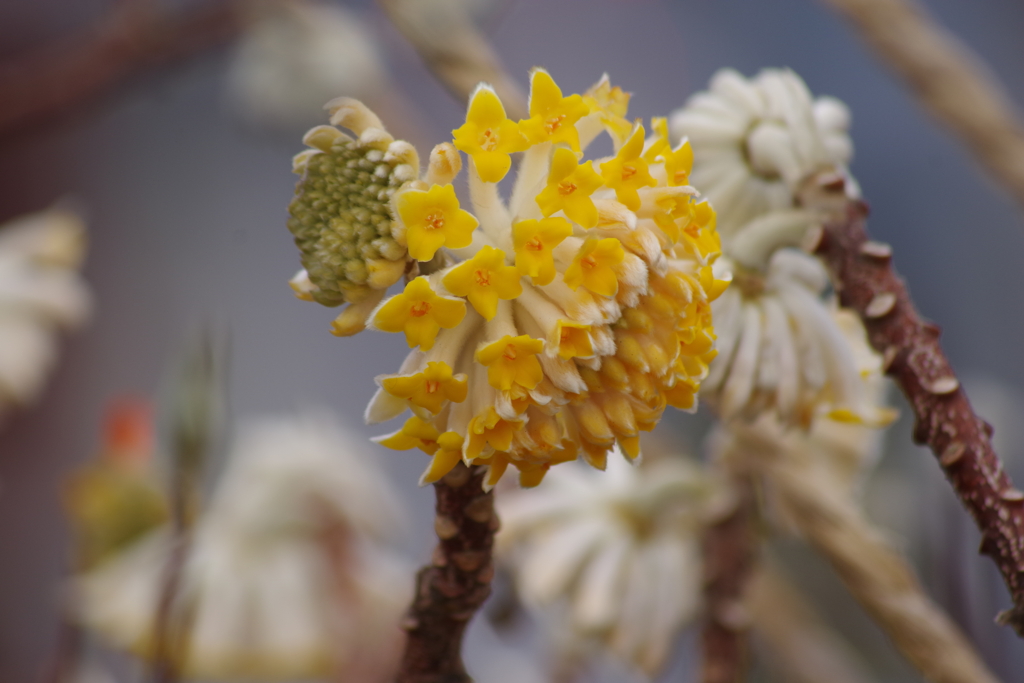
column 289, row 574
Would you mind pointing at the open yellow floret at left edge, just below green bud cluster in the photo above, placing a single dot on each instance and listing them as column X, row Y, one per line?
column 420, row 313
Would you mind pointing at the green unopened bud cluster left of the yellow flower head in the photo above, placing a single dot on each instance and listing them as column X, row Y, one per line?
column 343, row 221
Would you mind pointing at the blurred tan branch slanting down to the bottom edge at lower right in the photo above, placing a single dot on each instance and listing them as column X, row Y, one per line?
column 824, row 513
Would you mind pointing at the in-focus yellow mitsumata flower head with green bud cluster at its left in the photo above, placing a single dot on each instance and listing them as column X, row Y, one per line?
column 546, row 326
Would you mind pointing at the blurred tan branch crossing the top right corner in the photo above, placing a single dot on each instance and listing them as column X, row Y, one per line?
column 949, row 80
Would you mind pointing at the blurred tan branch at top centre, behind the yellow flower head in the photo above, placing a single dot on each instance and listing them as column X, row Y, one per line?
column 455, row 51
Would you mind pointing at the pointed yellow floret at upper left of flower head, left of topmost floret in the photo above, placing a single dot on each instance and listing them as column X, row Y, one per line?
column 489, row 137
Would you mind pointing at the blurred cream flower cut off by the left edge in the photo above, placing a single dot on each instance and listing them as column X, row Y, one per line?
column 40, row 293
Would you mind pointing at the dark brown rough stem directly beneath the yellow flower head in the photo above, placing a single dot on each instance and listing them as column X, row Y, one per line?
column 452, row 588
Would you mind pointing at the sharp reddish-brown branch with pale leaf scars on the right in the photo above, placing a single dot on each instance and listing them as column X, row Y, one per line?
column 867, row 282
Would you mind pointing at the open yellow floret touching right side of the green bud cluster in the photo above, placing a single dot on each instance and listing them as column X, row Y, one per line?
column 434, row 220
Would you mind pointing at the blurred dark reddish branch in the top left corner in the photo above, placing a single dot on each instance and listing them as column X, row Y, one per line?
column 57, row 80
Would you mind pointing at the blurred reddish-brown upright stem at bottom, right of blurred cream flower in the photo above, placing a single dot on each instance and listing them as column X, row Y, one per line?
column 731, row 551
